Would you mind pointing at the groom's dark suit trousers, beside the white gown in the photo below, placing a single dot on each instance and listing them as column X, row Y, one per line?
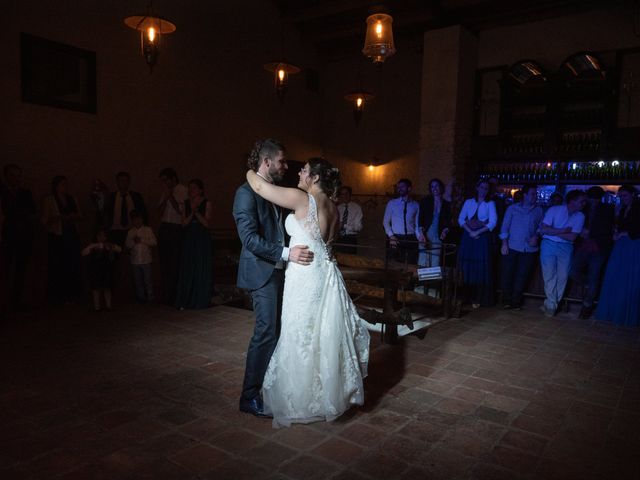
column 267, row 306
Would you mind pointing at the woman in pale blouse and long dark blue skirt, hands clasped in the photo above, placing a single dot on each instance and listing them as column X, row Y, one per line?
column 477, row 218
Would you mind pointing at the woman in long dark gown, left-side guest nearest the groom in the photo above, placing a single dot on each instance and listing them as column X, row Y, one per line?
column 195, row 282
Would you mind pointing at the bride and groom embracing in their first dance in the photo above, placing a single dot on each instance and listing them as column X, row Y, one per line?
column 309, row 350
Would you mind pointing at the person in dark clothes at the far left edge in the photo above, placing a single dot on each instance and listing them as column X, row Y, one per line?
column 18, row 232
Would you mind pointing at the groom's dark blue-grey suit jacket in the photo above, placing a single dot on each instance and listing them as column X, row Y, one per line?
column 262, row 239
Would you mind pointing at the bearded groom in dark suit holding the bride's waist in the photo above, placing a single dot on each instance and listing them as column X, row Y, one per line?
column 261, row 268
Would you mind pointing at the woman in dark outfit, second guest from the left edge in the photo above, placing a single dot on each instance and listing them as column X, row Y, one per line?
column 60, row 215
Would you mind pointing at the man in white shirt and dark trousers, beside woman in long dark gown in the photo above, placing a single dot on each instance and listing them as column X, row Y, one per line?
column 170, row 209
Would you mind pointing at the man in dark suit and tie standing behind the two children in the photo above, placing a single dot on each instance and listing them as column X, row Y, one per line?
column 120, row 204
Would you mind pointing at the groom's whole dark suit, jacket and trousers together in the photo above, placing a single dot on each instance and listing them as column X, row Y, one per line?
column 262, row 236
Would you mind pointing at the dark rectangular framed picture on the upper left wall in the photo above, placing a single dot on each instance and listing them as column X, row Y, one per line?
column 57, row 75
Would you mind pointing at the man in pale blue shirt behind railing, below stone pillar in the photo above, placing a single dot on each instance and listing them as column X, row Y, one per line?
column 401, row 224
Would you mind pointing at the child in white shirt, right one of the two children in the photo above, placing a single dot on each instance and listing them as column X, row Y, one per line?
column 140, row 239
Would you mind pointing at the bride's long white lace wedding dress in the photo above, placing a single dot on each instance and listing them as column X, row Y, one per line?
column 317, row 368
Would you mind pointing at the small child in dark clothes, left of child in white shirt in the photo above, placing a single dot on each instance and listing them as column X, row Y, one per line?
column 102, row 255
